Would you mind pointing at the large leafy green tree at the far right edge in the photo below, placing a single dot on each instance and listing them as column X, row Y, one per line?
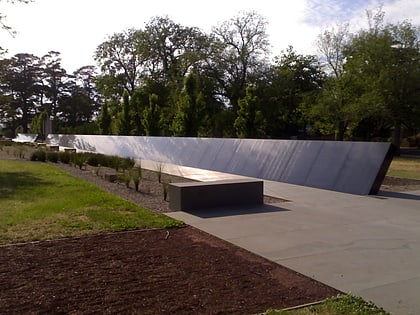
column 386, row 58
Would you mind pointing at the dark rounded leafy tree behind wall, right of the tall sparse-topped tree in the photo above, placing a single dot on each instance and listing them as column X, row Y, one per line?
column 293, row 83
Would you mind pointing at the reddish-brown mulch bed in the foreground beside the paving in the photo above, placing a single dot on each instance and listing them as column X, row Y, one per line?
column 176, row 271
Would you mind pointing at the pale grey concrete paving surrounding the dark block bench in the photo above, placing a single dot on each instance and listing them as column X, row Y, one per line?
column 365, row 245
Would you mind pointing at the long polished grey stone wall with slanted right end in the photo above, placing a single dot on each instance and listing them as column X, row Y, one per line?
column 351, row 167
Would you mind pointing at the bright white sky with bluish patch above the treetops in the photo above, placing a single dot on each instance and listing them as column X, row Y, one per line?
column 76, row 27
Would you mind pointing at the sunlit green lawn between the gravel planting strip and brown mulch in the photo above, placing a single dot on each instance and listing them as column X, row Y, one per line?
column 39, row 201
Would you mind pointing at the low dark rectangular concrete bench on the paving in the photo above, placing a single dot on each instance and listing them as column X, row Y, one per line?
column 202, row 195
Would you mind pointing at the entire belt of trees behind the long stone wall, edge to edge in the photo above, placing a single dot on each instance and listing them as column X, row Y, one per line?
column 174, row 80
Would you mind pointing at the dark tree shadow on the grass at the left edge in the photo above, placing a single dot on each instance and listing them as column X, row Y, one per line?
column 12, row 182
